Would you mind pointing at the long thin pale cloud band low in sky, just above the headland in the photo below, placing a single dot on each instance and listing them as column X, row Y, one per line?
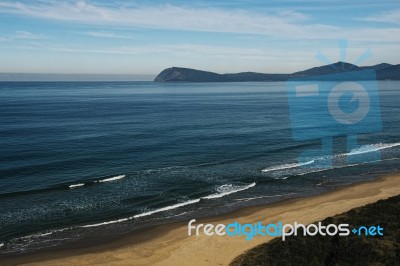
column 203, row 51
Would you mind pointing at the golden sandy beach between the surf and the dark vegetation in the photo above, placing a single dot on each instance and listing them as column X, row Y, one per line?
column 169, row 244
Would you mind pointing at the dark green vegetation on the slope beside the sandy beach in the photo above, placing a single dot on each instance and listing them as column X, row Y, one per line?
column 337, row 250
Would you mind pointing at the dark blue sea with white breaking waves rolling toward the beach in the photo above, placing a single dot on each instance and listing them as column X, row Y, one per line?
column 84, row 160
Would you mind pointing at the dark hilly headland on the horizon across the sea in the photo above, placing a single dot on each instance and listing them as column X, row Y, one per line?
column 180, row 74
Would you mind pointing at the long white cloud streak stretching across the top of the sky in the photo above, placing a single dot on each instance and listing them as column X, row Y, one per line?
column 283, row 24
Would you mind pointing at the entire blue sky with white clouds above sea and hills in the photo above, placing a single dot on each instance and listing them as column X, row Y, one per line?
column 144, row 37
